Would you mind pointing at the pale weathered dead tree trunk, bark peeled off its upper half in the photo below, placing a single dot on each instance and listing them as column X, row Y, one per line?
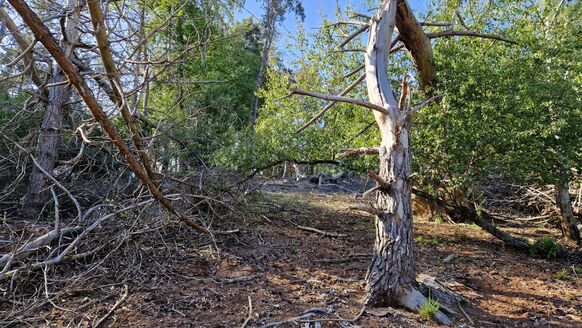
column 391, row 277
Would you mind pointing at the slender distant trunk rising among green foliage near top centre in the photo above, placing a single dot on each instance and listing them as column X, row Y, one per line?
column 270, row 20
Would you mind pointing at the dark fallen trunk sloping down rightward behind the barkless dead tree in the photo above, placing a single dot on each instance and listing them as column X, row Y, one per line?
column 484, row 220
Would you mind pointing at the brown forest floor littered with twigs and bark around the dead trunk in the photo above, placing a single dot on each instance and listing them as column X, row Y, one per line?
column 285, row 271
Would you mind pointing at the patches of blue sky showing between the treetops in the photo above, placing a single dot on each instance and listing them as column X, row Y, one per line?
column 314, row 9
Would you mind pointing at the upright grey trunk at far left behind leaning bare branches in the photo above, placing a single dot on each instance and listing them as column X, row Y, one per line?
column 49, row 137
